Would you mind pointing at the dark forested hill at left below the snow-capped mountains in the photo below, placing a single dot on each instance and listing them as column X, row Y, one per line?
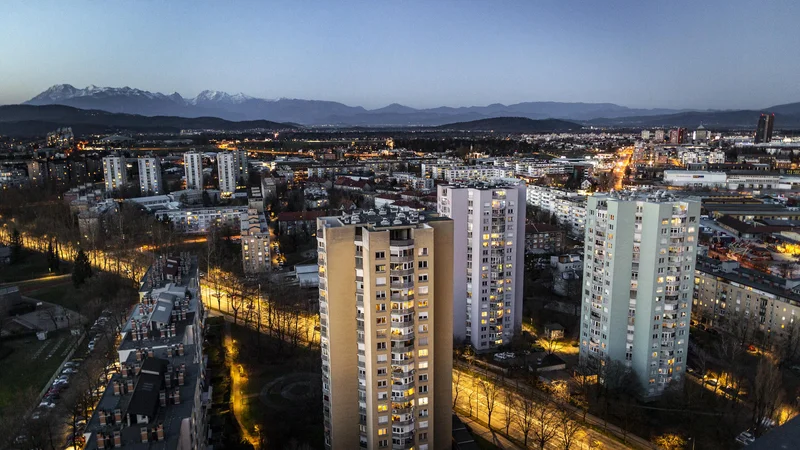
column 27, row 120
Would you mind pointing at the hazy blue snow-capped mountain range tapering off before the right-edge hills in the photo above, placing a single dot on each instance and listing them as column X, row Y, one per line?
column 314, row 112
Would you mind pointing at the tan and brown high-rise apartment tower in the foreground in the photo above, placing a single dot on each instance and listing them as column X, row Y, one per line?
column 386, row 302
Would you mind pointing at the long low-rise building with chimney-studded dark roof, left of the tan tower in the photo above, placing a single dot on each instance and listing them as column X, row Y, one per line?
column 160, row 397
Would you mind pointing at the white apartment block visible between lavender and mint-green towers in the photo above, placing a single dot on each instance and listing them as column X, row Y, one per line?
column 568, row 207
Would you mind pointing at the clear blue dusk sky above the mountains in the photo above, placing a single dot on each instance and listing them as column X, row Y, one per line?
column 720, row 54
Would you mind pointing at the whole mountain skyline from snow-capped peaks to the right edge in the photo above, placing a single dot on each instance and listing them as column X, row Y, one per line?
column 242, row 107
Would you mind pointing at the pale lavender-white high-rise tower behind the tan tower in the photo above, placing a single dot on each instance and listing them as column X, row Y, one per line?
column 489, row 259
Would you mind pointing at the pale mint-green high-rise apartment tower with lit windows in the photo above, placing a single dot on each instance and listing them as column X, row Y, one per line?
column 638, row 279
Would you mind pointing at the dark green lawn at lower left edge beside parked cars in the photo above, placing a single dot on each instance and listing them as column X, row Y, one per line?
column 31, row 363
